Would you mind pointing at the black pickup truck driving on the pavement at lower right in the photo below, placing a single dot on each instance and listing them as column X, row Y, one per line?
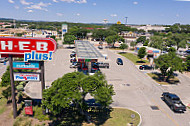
column 173, row 102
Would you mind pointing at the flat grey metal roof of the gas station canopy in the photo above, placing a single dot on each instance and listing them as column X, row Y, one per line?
column 85, row 50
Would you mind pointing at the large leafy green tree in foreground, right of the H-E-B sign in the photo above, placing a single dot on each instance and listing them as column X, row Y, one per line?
column 72, row 88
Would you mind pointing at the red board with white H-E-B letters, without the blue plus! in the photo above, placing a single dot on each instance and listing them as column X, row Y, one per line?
column 13, row 45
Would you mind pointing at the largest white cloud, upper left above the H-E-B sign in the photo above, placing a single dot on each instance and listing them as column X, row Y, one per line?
column 39, row 6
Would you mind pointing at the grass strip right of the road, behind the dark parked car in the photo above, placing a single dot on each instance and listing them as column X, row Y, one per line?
column 134, row 58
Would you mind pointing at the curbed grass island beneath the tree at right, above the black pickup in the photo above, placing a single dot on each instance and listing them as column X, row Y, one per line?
column 157, row 78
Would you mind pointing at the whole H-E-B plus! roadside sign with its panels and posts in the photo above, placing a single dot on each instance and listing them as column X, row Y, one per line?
column 31, row 49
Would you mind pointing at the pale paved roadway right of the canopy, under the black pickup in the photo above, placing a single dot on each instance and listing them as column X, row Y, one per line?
column 135, row 90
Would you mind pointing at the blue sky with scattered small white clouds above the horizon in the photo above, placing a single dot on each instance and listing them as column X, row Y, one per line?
column 95, row 11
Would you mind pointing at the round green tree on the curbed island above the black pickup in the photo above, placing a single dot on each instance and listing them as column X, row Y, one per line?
column 168, row 63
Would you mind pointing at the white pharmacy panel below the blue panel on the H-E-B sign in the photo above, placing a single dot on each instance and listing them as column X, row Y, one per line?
column 26, row 77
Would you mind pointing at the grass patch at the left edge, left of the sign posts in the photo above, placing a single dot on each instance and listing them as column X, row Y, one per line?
column 3, row 101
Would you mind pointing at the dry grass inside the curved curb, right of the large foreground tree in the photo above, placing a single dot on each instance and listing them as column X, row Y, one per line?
column 120, row 117
